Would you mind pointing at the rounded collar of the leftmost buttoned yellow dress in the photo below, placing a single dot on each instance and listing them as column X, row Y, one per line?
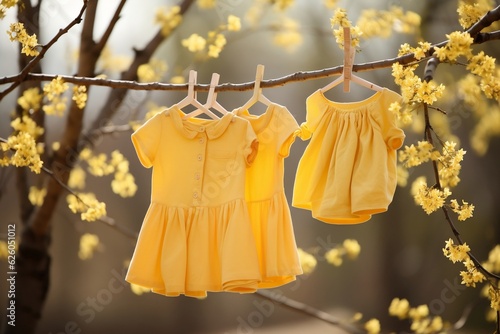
column 193, row 126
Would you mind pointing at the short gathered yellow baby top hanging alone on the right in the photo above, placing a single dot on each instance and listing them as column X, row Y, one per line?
column 348, row 170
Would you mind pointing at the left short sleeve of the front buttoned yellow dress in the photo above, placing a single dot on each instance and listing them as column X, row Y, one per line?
column 146, row 140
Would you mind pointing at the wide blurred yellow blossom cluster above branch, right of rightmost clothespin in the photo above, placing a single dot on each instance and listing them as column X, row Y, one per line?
column 381, row 23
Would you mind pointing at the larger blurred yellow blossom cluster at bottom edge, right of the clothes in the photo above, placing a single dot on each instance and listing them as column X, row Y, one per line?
column 421, row 320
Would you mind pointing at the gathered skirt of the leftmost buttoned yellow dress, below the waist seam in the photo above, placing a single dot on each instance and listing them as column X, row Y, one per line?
column 192, row 250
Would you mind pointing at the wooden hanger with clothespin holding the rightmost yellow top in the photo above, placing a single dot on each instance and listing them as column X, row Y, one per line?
column 347, row 75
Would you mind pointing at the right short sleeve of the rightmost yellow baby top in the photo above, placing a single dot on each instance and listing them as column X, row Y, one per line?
column 393, row 135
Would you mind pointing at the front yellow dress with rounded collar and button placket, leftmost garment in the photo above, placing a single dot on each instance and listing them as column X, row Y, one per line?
column 196, row 235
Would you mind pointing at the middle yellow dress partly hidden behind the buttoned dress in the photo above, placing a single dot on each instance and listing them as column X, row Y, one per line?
column 265, row 195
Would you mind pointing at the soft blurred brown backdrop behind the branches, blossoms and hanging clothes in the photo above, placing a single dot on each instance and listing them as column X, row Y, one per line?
column 401, row 250
